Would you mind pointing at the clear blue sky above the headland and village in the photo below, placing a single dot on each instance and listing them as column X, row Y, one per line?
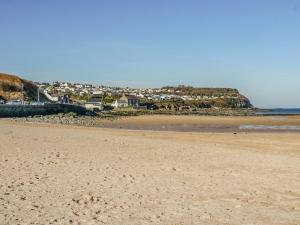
column 250, row 45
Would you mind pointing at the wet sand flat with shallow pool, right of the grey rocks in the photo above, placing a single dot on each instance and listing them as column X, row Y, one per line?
column 203, row 123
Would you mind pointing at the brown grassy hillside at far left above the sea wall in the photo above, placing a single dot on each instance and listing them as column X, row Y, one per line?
column 11, row 88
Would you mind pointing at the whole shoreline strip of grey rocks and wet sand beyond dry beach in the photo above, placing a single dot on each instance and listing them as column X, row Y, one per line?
column 182, row 123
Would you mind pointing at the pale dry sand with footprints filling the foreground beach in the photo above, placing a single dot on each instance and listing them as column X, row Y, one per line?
column 74, row 175
